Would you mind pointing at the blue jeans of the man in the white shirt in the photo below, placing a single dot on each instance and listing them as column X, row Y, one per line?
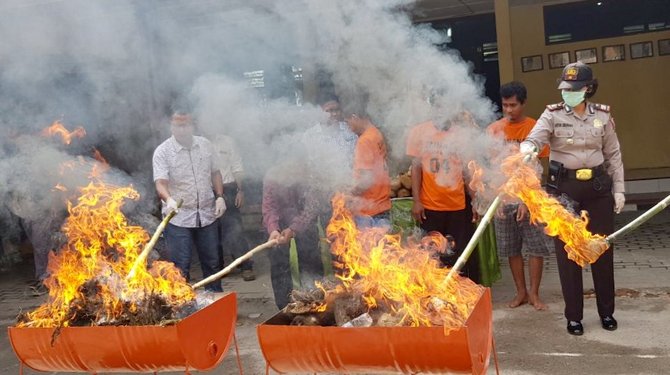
column 179, row 242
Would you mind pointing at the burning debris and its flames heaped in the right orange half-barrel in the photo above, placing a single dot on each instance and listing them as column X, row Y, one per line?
column 383, row 282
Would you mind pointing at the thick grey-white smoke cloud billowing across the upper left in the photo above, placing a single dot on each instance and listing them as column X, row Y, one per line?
column 119, row 68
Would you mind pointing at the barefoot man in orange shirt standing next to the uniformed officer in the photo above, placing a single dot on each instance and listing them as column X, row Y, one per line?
column 513, row 228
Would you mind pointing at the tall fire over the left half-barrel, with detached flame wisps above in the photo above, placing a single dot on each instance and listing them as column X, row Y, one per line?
column 89, row 280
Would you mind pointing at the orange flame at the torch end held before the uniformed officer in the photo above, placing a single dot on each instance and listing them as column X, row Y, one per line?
column 581, row 245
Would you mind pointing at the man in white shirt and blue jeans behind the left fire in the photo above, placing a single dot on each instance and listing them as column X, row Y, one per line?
column 185, row 167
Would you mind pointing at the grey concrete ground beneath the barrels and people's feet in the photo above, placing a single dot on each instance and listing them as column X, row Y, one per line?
column 527, row 341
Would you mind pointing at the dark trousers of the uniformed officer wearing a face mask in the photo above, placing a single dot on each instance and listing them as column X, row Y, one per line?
column 600, row 205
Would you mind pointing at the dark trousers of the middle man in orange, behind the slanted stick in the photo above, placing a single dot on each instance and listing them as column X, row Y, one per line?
column 459, row 225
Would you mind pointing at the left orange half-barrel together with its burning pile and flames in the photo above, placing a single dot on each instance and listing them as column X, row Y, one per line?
column 108, row 312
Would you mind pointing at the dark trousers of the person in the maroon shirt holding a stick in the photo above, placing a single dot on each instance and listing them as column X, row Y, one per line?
column 309, row 260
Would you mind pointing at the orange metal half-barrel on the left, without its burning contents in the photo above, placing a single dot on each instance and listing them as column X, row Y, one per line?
column 195, row 343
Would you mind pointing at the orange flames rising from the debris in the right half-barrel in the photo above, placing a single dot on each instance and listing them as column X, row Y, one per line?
column 407, row 279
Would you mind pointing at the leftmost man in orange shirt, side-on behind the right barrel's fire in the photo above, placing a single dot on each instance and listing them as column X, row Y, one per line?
column 370, row 196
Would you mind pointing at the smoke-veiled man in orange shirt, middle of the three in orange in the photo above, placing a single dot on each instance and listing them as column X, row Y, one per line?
column 438, row 187
